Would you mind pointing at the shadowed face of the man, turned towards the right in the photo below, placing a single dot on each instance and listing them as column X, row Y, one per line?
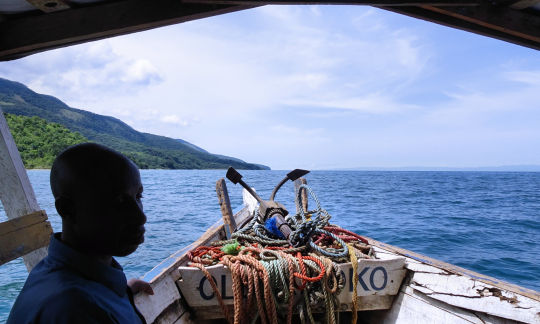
column 110, row 217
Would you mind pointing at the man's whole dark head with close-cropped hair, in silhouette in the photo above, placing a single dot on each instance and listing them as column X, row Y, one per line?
column 98, row 194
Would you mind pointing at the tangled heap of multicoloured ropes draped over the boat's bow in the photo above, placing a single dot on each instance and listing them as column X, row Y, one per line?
column 266, row 271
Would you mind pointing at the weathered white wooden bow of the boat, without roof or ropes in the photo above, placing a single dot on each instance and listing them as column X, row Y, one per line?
column 398, row 286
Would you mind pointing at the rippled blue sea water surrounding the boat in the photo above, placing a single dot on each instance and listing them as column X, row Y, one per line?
column 488, row 222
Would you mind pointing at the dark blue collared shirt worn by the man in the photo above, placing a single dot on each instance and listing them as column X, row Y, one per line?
column 69, row 287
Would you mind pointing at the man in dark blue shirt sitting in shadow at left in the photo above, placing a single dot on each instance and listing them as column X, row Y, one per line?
column 98, row 194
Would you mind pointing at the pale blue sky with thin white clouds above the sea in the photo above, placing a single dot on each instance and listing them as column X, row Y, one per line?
column 314, row 87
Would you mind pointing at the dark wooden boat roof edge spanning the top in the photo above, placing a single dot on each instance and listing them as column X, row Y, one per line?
column 32, row 26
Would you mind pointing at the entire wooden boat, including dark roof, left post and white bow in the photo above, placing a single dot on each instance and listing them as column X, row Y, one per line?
column 394, row 285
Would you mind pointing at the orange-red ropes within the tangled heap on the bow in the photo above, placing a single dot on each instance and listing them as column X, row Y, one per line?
column 252, row 290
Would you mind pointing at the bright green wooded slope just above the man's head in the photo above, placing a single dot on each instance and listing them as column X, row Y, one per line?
column 38, row 141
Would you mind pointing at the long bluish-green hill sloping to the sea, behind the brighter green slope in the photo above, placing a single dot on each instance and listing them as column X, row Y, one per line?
column 148, row 151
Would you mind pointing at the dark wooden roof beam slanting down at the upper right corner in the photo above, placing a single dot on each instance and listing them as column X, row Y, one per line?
column 502, row 23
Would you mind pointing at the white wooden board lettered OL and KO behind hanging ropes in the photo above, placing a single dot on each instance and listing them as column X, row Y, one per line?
column 375, row 278
